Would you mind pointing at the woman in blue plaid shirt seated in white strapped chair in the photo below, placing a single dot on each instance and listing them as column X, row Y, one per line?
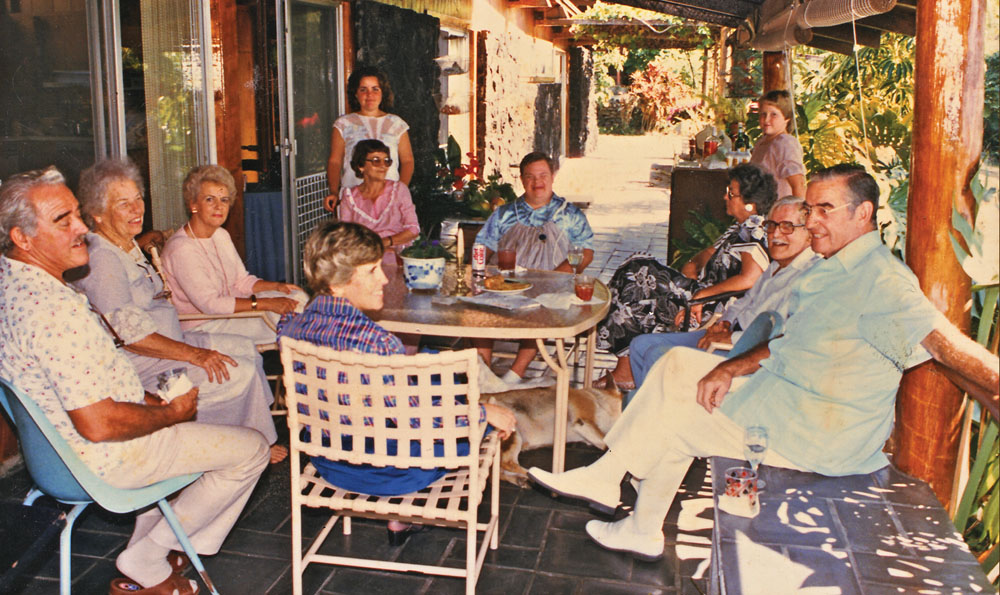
column 343, row 269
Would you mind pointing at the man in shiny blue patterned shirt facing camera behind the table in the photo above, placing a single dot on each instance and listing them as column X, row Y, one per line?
column 541, row 228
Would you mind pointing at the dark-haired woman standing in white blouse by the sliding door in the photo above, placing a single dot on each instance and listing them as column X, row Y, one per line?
column 370, row 97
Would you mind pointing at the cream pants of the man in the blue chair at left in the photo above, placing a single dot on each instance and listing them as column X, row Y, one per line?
column 232, row 459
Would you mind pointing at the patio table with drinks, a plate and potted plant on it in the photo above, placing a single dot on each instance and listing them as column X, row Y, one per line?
column 417, row 313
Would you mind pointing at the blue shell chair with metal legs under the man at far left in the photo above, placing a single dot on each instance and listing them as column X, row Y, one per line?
column 58, row 472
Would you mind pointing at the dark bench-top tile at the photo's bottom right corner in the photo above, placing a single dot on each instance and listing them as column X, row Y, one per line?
column 912, row 573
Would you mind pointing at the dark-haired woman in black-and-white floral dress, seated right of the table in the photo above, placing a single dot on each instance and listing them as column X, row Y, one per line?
column 648, row 296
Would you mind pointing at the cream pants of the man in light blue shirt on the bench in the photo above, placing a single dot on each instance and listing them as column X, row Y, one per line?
column 664, row 428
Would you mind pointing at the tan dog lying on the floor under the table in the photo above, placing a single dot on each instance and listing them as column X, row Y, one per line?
column 592, row 412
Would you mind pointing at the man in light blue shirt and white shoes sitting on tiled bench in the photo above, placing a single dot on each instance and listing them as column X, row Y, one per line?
column 825, row 390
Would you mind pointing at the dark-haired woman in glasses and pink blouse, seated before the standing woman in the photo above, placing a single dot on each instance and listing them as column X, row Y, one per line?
column 382, row 205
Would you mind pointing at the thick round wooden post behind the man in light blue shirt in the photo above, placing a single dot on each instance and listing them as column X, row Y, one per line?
column 947, row 140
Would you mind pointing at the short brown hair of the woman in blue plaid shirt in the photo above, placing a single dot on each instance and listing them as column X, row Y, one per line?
column 335, row 250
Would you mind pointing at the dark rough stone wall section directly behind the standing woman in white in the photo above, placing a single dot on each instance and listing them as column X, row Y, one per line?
column 403, row 43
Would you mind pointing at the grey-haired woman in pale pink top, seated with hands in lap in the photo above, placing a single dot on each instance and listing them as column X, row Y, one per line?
column 204, row 269
